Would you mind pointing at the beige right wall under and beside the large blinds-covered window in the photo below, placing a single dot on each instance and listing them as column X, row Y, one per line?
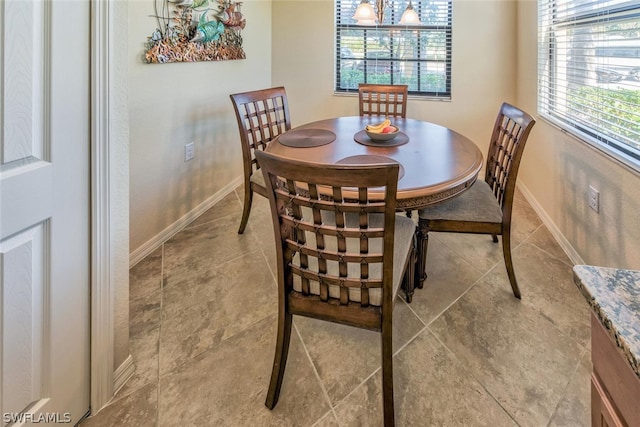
column 557, row 169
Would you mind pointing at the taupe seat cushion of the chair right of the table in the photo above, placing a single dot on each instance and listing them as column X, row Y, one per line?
column 476, row 204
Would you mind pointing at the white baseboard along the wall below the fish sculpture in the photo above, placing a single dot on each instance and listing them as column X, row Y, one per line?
column 154, row 243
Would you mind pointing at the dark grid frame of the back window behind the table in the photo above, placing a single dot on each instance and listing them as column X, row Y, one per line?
column 447, row 29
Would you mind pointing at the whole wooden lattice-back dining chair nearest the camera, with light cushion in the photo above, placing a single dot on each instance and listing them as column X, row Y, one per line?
column 342, row 253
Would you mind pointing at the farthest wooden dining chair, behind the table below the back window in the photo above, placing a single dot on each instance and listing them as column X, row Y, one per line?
column 383, row 100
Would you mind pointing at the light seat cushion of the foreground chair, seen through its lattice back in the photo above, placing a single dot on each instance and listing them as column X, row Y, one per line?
column 402, row 246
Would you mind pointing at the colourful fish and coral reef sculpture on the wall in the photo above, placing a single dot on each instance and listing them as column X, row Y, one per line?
column 196, row 30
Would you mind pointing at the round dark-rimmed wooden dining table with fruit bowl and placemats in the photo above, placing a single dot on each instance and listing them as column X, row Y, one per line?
column 436, row 163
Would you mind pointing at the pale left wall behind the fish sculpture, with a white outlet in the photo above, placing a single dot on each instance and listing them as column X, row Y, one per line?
column 171, row 105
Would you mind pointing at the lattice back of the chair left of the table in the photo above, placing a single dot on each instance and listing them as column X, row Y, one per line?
column 262, row 115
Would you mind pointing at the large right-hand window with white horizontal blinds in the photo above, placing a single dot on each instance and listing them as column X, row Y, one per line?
column 589, row 72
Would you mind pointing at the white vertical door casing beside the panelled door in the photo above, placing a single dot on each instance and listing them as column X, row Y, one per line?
column 102, row 303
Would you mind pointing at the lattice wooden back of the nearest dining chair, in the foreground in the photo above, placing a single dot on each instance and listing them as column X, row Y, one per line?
column 334, row 238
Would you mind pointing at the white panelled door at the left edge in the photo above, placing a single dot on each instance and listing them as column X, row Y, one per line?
column 44, row 211
